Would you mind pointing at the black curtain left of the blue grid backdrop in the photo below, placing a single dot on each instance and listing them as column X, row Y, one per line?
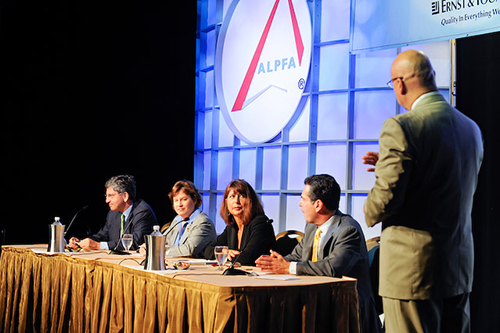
column 89, row 90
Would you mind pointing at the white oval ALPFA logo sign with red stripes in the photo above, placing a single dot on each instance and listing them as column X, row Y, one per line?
column 262, row 65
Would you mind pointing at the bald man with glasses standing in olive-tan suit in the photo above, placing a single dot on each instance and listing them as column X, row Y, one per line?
column 426, row 175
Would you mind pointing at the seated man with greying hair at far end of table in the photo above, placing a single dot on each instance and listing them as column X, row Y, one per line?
column 127, row 215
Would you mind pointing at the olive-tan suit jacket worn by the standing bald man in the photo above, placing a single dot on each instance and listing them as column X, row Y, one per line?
column 425, row 181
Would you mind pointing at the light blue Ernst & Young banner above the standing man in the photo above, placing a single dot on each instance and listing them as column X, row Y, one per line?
column 385, row 23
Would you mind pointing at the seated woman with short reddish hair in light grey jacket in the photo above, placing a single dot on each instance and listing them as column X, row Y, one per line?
column 191, row 230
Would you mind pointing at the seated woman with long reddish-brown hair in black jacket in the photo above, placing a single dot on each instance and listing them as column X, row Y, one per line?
column 248, row 232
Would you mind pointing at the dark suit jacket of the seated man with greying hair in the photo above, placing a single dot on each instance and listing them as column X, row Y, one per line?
column 139, row 223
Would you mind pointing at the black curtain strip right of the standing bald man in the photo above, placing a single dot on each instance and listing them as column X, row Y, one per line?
column 478, row 72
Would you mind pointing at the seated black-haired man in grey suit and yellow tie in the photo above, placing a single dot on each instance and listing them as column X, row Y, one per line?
column 333, row 245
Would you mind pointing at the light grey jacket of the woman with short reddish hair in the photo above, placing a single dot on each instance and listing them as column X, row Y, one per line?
column 199, row 233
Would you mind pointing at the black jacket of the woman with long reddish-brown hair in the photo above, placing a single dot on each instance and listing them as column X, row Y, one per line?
column 257, row 239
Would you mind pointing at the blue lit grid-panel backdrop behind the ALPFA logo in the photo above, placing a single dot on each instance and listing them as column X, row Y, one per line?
column 344, row 105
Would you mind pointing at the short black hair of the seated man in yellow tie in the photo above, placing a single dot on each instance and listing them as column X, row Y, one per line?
column 325, row 188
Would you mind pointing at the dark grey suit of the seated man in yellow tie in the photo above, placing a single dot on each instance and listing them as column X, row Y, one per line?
column 344, row 253
